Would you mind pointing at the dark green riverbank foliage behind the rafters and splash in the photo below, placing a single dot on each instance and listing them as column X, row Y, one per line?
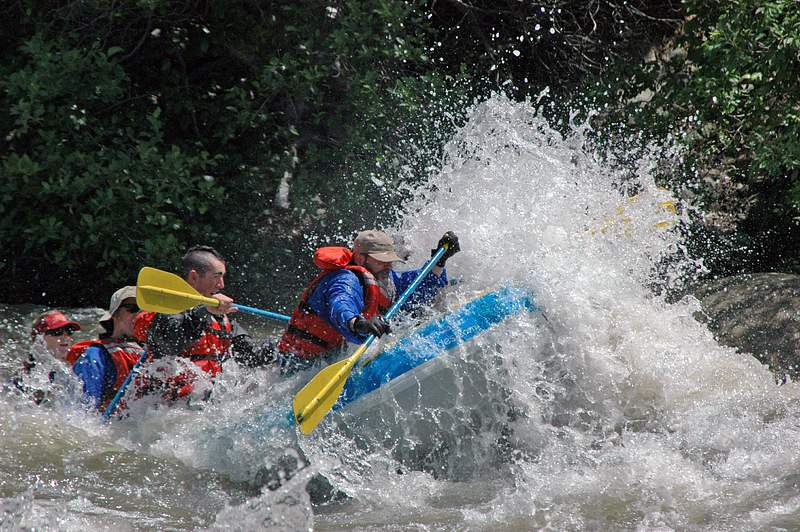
column 133, row 130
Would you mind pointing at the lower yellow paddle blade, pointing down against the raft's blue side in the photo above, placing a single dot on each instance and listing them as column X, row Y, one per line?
column 318, row 396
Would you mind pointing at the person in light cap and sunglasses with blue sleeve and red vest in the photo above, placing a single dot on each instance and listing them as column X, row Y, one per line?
column 103, row 364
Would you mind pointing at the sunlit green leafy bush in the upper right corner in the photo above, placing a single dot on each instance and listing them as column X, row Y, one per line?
column 745, row 83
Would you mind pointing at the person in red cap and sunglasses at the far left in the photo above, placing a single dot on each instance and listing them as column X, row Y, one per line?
column 51, row 333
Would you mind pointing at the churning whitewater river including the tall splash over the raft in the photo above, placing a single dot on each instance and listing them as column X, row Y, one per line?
column 611, row 410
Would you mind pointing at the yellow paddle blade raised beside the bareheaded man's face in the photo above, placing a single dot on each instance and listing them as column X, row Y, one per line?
column 164, row 292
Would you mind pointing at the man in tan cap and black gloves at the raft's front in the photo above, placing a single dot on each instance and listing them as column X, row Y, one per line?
column 346, row 301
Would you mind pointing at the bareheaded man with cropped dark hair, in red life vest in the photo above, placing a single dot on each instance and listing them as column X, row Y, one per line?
column 203, row 334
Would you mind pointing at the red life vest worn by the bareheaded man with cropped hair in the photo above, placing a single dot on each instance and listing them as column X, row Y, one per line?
column 207, row 352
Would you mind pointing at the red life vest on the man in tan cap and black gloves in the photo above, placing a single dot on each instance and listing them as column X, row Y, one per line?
column 308, row 335
